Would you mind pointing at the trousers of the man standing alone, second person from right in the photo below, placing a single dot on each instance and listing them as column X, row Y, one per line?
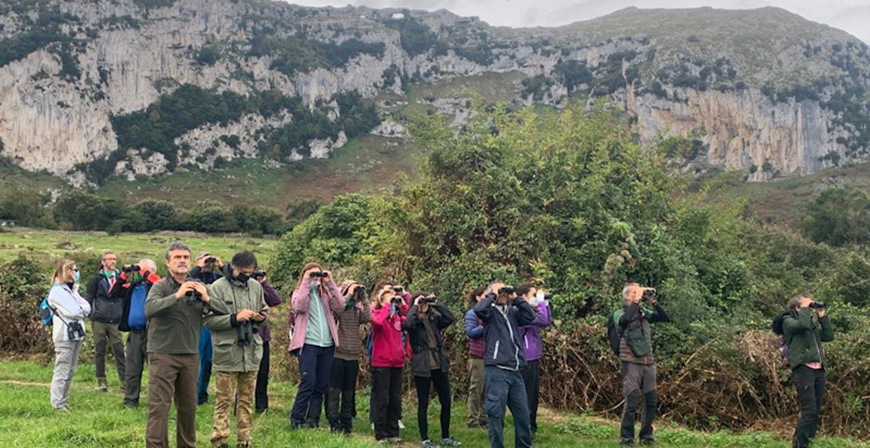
column 637, row 379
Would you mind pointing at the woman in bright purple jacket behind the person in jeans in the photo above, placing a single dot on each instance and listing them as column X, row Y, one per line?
column 531, row 335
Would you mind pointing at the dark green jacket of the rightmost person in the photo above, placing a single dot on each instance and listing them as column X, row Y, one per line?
column 804, row 334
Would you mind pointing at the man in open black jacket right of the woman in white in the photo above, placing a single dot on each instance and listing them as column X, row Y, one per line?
column 105, row 316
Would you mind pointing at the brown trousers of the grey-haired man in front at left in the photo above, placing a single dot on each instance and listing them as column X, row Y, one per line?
column 171, row 376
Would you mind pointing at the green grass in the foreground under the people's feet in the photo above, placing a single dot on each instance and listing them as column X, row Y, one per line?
column 99, row 420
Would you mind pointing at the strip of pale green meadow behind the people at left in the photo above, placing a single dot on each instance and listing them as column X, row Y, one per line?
column 130, row 247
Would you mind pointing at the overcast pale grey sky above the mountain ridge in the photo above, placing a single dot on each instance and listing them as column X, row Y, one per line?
column 850, row 15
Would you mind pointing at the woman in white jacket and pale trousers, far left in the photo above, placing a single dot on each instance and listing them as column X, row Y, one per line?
column 68, row 330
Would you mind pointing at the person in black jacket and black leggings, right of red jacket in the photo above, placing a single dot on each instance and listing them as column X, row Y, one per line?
column 429, row 364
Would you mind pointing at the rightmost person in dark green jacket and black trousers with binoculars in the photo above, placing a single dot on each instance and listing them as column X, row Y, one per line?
column 805, row 328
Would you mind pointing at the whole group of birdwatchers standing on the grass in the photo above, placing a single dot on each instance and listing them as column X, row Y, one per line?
column 209, row 318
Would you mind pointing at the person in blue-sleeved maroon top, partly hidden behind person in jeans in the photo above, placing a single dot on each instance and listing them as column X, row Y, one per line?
column 476, row 372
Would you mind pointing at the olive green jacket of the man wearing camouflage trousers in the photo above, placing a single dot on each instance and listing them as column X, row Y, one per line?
column 228, row 297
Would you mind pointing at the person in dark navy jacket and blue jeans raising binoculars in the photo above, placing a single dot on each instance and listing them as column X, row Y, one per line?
column 504, row 358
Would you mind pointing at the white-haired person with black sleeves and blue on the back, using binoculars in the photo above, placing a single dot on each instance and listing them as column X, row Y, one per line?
column 134, row 287
